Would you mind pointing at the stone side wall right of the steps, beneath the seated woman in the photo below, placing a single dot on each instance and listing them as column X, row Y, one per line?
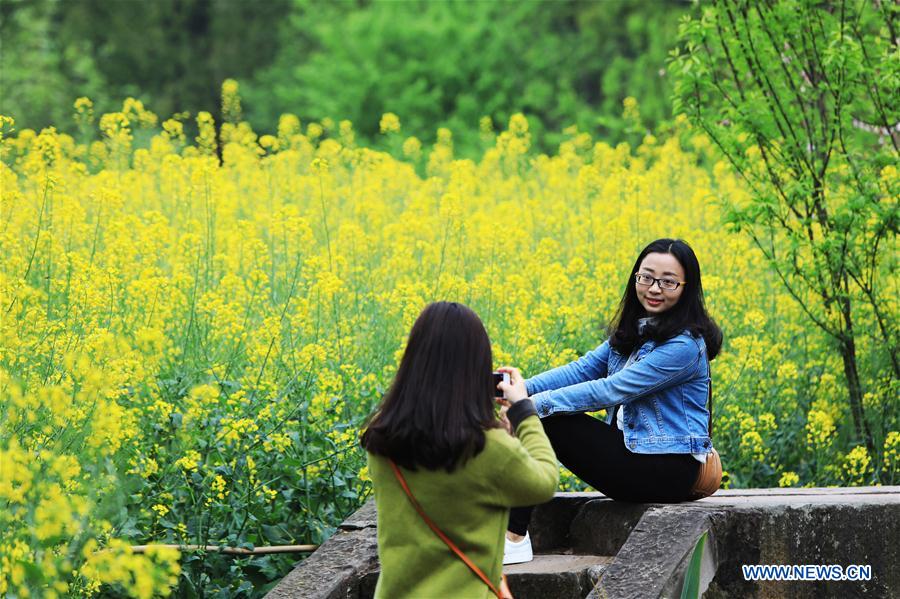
column 840, row 526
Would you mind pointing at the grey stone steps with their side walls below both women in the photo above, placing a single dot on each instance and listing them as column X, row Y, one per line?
column 652, row 543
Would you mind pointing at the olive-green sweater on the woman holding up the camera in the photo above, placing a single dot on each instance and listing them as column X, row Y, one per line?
column 470, row 505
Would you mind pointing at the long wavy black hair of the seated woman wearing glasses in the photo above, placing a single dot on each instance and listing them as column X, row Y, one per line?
column 688, row 313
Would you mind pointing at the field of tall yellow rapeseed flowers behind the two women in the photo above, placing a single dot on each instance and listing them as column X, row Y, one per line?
column 195, row 327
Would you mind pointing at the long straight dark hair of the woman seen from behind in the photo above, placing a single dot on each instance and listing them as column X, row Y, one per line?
column 442, row 399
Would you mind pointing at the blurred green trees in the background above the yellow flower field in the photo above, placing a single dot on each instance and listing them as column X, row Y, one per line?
column 432, row 63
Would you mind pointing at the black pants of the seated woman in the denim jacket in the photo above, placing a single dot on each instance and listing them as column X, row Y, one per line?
column 595, row 452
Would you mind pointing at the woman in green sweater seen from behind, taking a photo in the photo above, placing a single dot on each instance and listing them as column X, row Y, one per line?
column 436, row 432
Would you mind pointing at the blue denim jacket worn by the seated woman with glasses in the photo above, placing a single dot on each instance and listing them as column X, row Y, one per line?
column 663, row 393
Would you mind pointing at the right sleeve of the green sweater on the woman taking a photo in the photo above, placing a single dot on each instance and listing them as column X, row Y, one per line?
column 530, row 474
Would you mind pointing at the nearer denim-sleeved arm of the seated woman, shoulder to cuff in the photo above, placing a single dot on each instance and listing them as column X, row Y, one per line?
column 670, row 363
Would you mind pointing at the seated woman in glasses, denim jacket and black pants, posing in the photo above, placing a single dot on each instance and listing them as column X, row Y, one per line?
column 652, row 376
